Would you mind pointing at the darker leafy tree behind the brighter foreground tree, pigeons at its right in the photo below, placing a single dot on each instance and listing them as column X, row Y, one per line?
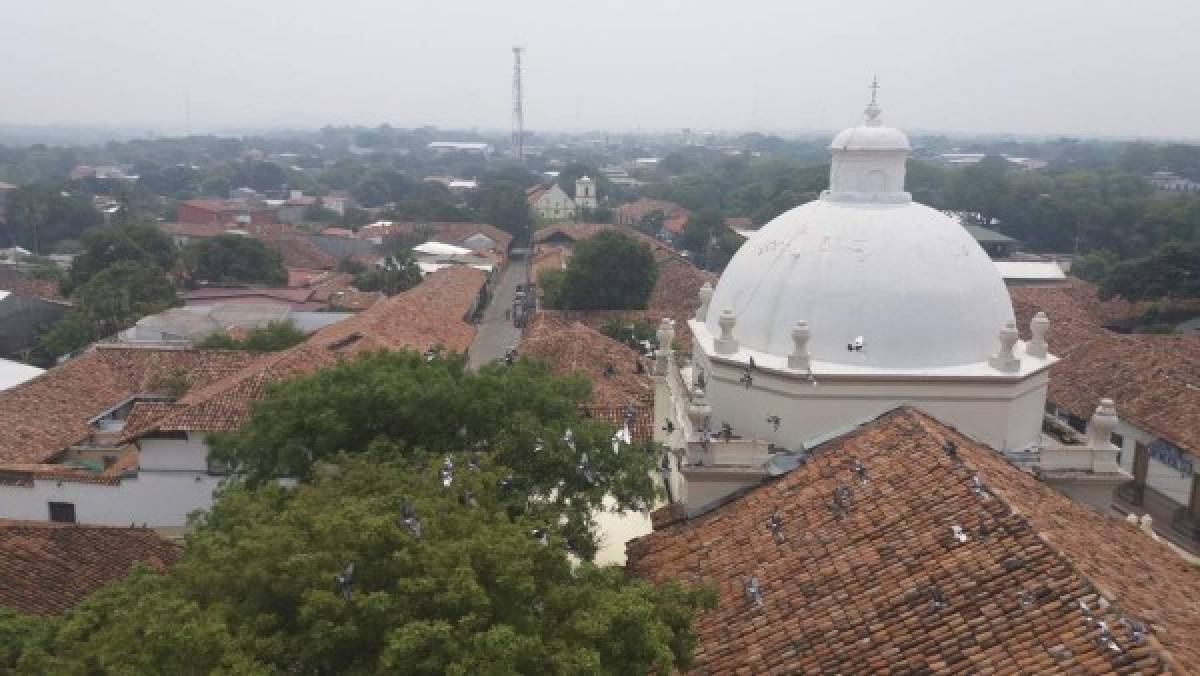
column 523, row 417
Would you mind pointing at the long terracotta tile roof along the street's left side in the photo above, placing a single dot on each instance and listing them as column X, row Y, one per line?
column 433, row 314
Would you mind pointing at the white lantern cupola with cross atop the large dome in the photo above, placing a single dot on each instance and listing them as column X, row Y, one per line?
column 869, row 161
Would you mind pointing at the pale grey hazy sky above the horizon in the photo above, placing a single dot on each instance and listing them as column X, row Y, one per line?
column 1126, row 68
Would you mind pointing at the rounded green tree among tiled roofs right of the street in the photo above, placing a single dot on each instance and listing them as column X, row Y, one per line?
column 610, row 272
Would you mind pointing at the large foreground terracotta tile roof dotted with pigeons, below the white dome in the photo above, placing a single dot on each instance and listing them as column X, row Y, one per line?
column 891, row 588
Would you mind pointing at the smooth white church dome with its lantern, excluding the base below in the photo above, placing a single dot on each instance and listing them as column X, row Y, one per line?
column 866, row 264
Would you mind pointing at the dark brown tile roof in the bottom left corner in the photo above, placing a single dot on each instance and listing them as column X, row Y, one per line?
column 49, row 567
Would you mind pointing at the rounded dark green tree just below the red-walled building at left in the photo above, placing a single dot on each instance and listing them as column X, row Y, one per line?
column 233, row 260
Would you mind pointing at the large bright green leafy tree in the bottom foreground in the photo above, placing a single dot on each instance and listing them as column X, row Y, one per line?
column 446, row 581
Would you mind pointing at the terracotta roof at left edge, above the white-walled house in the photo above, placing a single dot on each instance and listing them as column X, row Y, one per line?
column 43, row 417
